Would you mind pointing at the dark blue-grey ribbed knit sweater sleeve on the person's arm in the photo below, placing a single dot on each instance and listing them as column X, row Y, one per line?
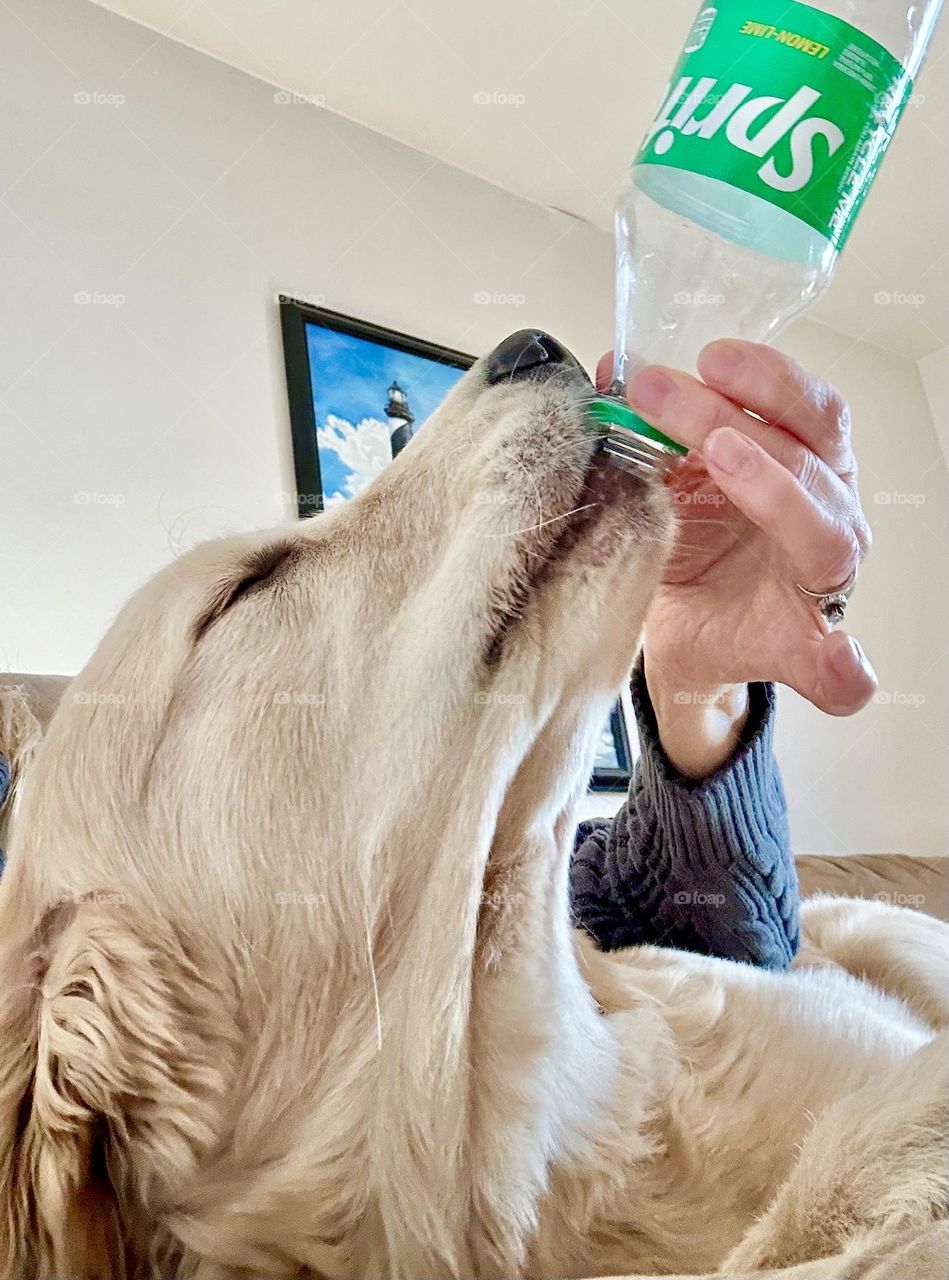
column 704, row 866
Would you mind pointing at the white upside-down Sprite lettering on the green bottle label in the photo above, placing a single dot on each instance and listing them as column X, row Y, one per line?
column 758, row 126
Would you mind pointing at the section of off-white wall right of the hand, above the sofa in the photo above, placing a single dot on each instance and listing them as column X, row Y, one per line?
column 879, row 781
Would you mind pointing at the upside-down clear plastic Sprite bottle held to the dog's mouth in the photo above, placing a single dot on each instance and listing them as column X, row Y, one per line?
column 750, row 179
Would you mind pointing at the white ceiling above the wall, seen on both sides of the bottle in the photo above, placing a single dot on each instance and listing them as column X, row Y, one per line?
column 573, row 86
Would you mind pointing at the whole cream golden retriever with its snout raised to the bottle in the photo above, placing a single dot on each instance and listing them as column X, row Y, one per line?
column 289, row 981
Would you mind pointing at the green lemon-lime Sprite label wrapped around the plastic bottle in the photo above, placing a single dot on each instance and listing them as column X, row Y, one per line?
column 782, row 102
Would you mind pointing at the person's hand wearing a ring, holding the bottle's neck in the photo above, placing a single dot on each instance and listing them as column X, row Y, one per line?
column 766, row 500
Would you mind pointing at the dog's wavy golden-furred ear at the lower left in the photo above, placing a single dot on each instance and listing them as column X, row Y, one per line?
column 115, row 1068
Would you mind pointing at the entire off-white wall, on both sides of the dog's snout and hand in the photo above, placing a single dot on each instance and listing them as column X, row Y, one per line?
column 130, row 432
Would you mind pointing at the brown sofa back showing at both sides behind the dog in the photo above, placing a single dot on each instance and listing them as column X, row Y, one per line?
column 904, row 879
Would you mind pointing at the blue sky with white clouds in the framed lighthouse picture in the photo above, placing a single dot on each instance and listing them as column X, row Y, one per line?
column 350, row 378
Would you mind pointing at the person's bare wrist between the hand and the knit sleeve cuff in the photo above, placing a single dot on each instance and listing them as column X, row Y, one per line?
column 700, row 723
